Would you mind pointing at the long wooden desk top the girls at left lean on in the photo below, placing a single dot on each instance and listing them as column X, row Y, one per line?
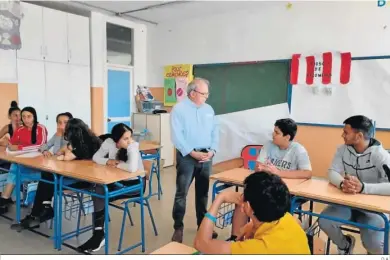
column 82, row 170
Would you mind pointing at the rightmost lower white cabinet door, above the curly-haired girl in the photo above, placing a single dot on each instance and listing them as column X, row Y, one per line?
column 79, row 92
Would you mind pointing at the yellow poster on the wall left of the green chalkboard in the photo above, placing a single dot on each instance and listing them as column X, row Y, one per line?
column 176, row 78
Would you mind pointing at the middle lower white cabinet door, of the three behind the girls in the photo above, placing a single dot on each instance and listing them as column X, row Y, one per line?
column 58, row 97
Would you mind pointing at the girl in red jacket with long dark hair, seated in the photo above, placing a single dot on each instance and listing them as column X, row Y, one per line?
column 30, row 135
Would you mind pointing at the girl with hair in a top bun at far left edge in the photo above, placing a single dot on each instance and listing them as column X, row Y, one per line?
column 8, row 131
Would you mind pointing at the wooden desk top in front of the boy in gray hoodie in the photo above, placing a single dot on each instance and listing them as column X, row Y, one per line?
column 323, row 190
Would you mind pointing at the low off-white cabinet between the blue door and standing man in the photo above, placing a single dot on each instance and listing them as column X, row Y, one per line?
column 159, row 127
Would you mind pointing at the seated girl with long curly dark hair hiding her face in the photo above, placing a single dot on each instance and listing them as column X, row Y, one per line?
column 82, row 145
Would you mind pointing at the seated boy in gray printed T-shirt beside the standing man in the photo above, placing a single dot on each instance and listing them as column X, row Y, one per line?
column 283, row 157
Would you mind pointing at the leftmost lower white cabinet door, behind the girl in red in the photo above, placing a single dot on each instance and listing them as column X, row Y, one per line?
column 31, row 86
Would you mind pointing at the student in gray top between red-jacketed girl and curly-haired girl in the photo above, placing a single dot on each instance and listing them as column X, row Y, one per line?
column 57, row 141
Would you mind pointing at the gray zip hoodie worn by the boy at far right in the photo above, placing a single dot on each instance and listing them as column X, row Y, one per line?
column 368, row 167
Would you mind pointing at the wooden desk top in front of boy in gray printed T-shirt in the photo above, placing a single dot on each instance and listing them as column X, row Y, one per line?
column 237, row 176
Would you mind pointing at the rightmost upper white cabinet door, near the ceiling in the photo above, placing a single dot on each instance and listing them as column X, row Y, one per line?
column 78, row 40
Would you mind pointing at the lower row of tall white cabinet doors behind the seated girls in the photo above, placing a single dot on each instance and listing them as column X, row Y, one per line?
column 53, row 88
